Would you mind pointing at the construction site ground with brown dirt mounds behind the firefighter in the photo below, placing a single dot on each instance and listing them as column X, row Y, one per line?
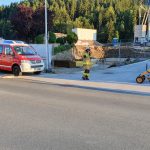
column 122, row 54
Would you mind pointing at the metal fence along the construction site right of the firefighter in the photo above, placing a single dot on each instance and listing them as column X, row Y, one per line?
column 125, row 53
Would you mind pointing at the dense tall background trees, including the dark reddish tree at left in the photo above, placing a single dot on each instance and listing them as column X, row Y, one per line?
column 111, row 18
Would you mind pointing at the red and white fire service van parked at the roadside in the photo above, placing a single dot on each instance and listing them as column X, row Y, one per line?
column 19, row 58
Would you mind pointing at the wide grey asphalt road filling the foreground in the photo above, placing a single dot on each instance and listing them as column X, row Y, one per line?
column 37, row 116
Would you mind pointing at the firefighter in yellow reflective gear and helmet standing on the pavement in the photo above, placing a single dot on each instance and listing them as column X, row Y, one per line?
column 87, row 63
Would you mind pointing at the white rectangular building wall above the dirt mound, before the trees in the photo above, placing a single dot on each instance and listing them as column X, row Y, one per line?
column 85, row 34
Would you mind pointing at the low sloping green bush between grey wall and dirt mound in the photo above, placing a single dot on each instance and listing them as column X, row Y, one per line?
column 61, row 49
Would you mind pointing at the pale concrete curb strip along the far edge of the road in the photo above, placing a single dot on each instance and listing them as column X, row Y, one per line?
column 113, row 87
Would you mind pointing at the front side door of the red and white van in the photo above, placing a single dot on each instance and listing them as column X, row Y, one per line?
column 7, row 58
